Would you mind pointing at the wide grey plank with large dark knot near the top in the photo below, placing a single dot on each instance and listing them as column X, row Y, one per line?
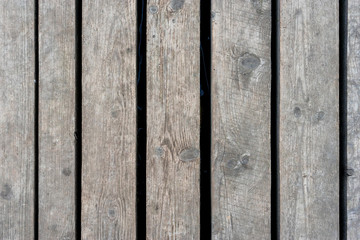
column 241, row 86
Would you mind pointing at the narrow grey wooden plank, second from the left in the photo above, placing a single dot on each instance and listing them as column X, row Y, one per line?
column 56, row 119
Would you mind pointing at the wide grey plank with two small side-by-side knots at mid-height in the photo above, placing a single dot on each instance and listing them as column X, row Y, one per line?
column 309, row 119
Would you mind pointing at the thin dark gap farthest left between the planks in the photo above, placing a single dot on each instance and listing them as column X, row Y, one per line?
column 36, row 120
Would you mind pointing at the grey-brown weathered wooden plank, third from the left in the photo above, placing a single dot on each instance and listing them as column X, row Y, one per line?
column 109, row 119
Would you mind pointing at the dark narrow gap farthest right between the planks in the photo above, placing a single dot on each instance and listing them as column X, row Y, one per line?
column 343, row 8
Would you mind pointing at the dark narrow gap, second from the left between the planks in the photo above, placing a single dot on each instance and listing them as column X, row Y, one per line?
column 78, row 115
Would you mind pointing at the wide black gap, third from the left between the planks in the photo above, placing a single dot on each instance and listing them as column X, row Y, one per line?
column 141, row 122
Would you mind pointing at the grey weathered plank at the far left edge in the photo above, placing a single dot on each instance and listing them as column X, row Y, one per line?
column 17, row 119
